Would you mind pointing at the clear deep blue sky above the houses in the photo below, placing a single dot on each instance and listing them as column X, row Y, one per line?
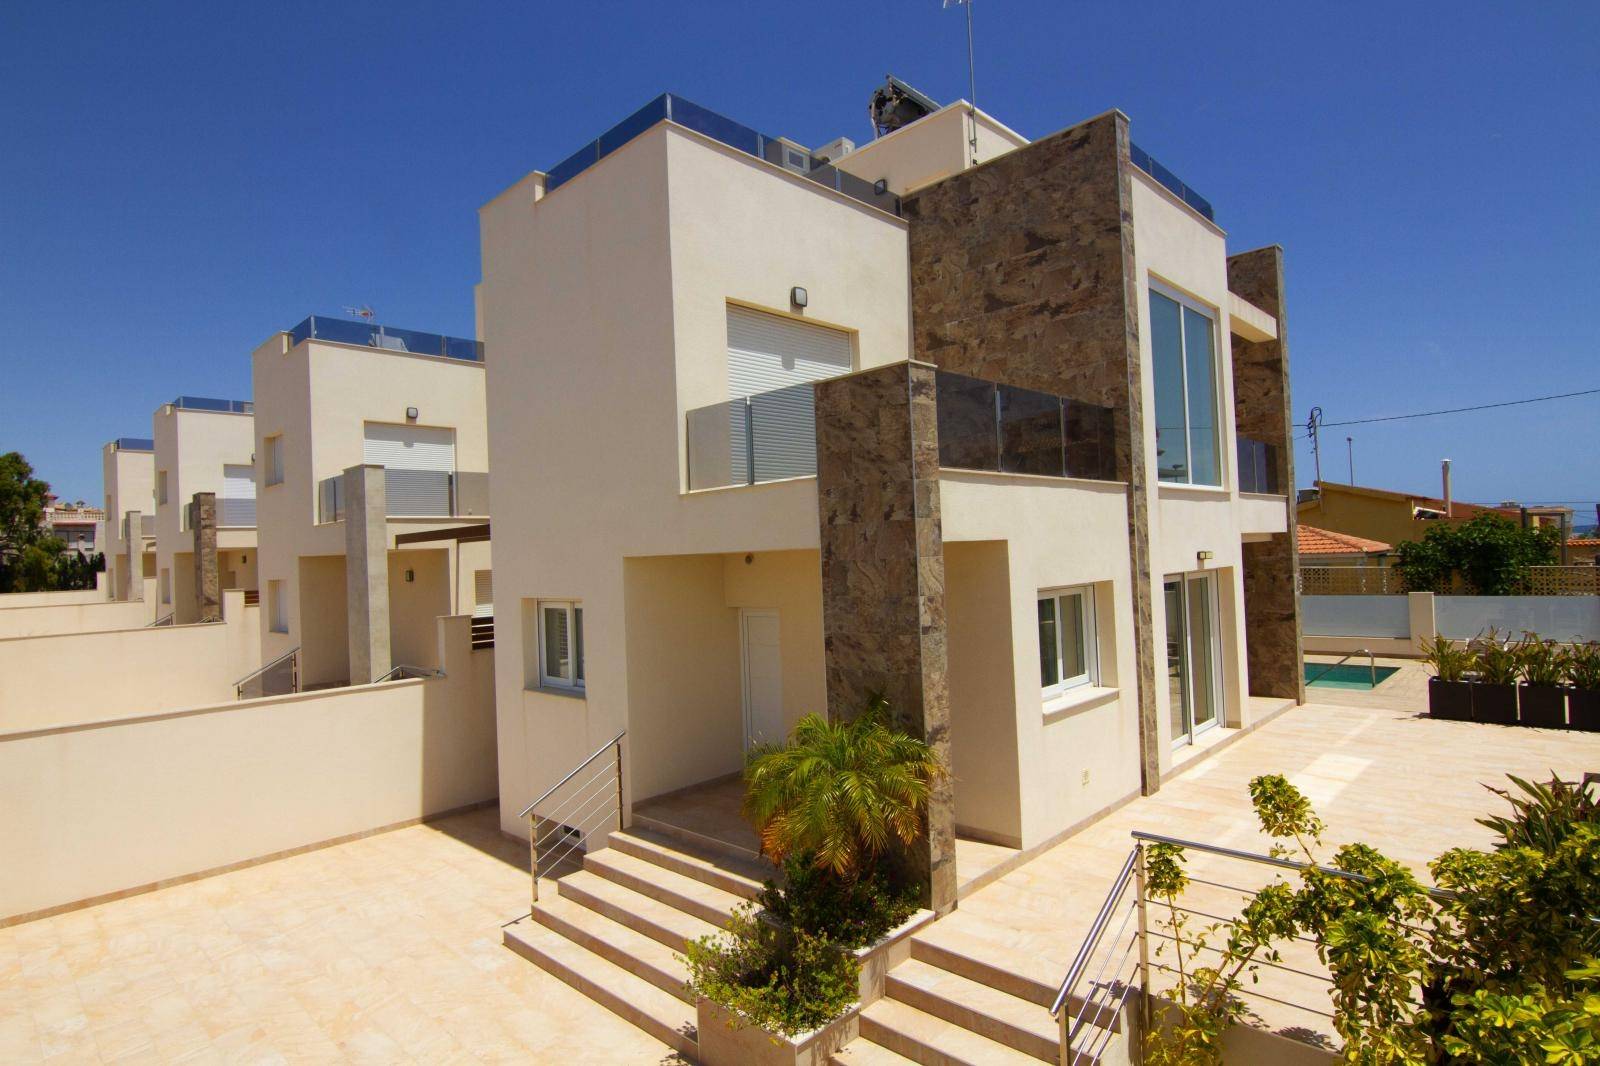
column 180, row 180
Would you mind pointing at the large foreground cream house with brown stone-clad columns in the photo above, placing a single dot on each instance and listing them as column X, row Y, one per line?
column 1002, row 443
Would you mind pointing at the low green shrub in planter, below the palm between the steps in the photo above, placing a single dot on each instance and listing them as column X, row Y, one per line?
column 786, row 982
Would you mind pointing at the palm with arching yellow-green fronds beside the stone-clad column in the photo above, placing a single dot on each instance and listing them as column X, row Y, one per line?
column 841, row 791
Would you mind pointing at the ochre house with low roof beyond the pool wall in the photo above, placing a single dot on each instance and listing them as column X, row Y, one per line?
column 1396, row 518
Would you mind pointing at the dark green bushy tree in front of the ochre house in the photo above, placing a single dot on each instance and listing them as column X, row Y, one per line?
column 1490, row 553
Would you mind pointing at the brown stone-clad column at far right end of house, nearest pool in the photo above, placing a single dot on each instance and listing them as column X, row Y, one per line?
column 1262, row 411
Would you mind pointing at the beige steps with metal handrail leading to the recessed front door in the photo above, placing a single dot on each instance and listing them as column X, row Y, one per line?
column 614, row 928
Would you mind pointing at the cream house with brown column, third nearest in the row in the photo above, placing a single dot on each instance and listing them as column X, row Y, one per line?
column 204, row 447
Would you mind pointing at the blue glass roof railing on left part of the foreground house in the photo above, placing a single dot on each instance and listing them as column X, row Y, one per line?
column 703, row 121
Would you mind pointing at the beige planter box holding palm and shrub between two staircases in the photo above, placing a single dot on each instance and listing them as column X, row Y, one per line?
column 727, row 1040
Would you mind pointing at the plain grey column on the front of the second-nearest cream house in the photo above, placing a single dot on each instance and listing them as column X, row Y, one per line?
column 367, row 572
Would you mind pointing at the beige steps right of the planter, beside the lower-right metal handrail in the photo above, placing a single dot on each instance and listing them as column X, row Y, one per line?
column 948, row 1008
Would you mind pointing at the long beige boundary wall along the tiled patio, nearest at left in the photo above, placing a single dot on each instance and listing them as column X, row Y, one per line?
column 121, row 806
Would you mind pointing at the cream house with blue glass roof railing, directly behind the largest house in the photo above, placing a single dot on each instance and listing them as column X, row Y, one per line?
column 374, row 508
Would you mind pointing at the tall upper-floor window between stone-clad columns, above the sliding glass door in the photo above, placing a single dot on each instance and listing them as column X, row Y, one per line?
column 1183, row 348
